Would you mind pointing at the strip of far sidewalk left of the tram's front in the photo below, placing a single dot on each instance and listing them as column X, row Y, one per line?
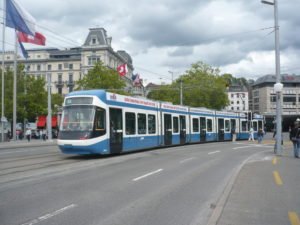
column 24, row 143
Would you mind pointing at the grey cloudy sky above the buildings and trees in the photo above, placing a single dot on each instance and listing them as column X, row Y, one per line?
column 236, row 36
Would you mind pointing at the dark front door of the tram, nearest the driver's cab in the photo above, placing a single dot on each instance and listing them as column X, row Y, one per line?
column 116, row 130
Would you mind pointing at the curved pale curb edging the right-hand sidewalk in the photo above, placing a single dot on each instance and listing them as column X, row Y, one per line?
column 214, row 218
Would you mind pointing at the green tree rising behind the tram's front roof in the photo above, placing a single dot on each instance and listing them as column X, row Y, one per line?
column 102, row 77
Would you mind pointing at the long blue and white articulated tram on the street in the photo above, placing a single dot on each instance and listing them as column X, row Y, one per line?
column 100, row 122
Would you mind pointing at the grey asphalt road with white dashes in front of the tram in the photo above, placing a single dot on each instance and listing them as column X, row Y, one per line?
column 178, row 185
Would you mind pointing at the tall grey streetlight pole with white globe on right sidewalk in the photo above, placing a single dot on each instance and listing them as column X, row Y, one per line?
column 278, row 86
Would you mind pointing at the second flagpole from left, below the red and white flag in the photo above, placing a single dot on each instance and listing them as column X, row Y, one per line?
column 15, row 88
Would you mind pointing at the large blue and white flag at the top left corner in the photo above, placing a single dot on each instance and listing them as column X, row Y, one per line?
column 18, row 18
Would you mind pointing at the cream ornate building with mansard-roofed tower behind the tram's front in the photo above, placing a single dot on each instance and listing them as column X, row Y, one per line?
column 66, row 67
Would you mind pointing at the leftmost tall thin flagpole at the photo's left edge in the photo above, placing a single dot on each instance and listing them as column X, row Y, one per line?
column 3, row 50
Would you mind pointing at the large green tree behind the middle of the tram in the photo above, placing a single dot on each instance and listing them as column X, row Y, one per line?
column 202, row 87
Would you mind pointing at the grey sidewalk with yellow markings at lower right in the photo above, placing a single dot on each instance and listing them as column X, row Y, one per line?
column 266, row 190
